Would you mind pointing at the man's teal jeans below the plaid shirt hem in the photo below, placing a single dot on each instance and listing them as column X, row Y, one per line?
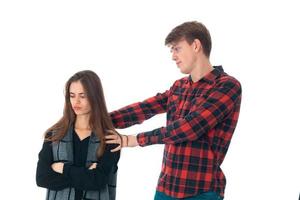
column 203, row 196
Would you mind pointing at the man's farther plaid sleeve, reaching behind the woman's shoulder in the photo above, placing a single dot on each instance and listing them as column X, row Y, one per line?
column 138, row 112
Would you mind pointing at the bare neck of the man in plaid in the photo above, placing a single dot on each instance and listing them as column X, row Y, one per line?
column 201, row 69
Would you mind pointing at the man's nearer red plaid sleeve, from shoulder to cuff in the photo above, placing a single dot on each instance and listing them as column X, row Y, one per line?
column 221, row 101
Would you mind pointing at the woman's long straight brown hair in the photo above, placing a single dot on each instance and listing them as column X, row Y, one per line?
column 100, row 120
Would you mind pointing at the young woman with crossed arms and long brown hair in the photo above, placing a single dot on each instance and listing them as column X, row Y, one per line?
column 75, row 163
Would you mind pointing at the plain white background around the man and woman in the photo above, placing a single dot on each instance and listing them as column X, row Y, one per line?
column 42, row 43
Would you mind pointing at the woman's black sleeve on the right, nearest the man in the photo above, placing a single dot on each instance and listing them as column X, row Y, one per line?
column 84, row 179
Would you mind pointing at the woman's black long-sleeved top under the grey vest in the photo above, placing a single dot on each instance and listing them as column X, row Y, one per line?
column 76, row 175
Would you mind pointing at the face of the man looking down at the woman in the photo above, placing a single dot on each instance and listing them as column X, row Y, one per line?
column 184, row 55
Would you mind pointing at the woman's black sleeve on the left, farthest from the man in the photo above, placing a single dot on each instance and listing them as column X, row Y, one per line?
column 45, row 176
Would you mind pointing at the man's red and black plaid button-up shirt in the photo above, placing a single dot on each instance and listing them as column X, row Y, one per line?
column 201, row 118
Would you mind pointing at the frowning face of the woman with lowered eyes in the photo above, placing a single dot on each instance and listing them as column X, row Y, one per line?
column 78, row 99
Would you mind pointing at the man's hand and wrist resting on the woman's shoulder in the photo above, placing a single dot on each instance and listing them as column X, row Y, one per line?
column 128, row 140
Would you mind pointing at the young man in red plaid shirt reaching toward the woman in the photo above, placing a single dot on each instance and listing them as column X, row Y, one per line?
column 202, row 112
